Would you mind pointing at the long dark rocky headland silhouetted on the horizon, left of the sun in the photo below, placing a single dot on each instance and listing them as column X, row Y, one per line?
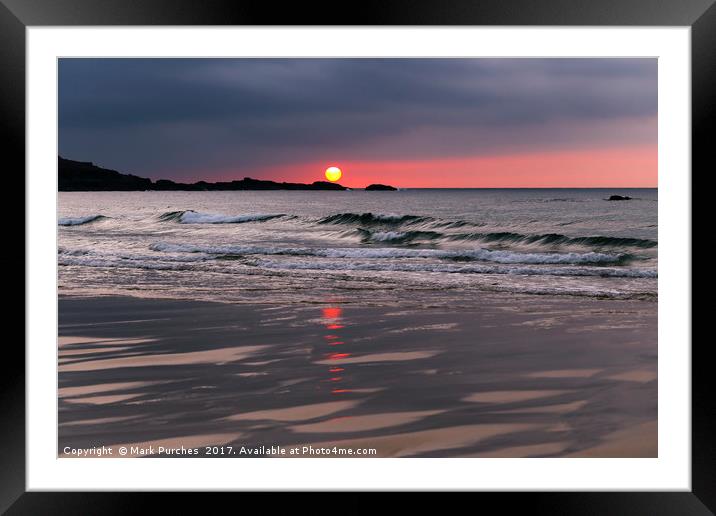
column 82, row 176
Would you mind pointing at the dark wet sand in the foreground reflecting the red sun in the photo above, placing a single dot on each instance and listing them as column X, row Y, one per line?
column 530, row 376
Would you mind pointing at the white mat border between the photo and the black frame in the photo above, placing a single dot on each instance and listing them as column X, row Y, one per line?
column 670, row 471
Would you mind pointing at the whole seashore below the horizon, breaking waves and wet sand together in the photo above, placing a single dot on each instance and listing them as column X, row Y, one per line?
column 418, row 323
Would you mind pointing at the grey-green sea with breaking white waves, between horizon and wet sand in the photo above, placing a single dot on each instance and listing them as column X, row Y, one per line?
column 411, row 247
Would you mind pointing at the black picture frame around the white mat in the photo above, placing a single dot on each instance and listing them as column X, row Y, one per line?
column 17, row 15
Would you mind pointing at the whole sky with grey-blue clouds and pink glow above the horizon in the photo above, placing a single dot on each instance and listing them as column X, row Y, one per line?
column 412, row 123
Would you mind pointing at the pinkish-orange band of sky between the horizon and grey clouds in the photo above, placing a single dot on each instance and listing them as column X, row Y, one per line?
column 624, row 167
